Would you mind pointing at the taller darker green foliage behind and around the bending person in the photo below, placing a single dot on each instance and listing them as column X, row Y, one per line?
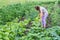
column 19, row 11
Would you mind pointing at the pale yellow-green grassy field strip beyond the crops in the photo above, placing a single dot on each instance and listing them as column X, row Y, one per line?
column 7, row 2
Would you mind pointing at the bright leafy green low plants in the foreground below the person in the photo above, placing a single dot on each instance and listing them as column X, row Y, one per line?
column 16, row 31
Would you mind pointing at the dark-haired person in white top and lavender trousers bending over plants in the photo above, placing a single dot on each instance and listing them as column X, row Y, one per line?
column 43, row 15
